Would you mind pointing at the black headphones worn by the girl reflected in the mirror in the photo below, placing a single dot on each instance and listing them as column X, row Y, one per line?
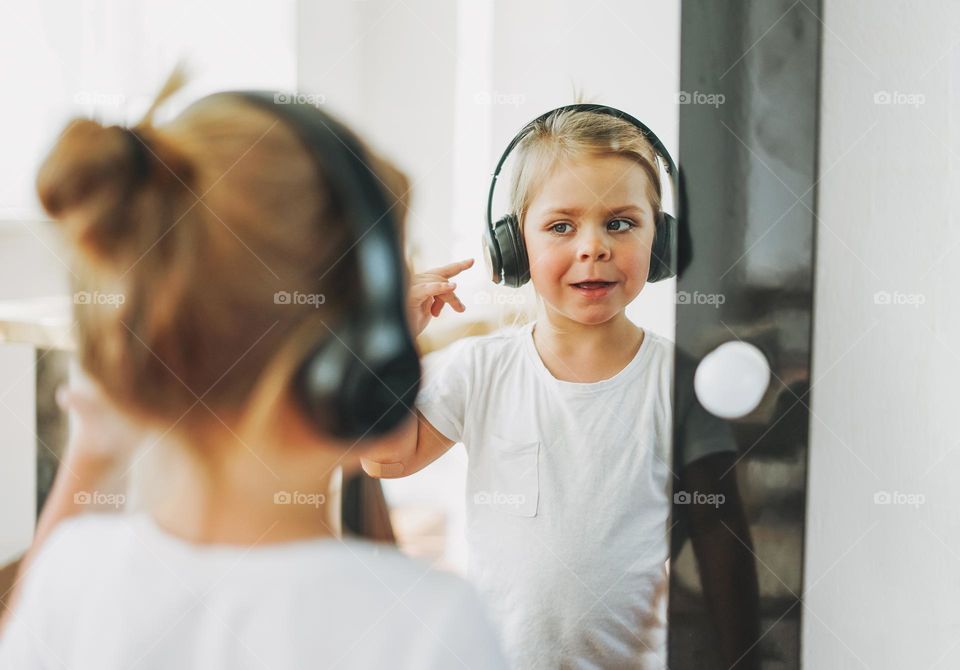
column 504, row 239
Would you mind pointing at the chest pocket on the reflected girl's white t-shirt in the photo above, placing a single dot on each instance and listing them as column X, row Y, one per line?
column 516, row 476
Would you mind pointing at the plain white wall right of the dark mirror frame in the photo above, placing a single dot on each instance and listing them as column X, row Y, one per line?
column 883, row 580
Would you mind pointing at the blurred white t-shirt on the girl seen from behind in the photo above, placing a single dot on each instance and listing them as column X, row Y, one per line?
column 116, row 591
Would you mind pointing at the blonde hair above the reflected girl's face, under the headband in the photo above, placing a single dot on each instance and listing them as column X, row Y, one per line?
column 569, row 134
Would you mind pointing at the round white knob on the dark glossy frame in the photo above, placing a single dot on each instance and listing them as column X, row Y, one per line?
column 731, row 380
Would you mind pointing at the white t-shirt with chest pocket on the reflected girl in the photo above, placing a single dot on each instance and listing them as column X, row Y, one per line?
column 568, row 496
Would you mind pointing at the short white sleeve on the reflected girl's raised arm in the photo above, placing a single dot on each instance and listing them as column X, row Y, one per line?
column 445, row 394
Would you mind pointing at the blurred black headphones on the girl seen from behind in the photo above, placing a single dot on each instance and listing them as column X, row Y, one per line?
column 363, row 376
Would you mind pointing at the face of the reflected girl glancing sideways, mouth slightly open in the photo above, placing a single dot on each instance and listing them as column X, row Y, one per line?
column 590, row 220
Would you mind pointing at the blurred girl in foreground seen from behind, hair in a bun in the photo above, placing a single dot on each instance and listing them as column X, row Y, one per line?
column 189, row 231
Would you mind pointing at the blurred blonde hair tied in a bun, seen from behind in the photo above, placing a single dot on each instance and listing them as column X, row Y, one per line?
column 194, row 233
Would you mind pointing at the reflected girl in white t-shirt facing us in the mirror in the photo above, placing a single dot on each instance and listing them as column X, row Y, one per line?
column 567, row 420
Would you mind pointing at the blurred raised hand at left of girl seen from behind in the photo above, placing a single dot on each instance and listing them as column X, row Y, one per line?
column 99, row 432
